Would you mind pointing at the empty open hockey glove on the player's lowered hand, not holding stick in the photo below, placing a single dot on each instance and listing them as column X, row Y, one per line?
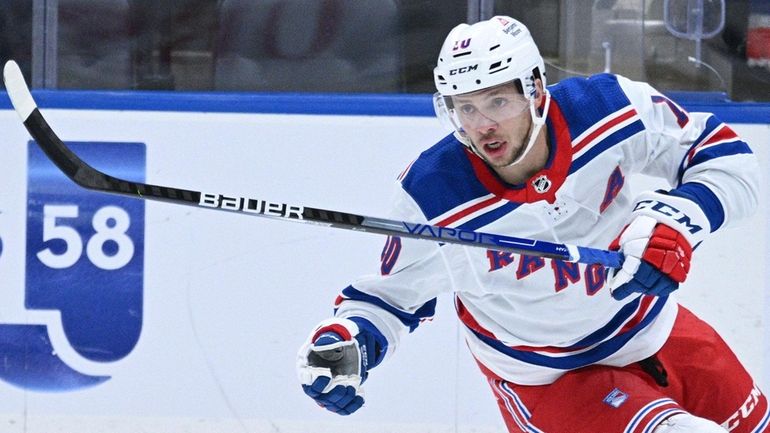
column 334, row 362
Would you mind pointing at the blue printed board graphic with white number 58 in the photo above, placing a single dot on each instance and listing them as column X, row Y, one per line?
column 85, row 258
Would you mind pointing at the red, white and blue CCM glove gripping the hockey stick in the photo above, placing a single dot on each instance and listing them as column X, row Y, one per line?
column 657, row 245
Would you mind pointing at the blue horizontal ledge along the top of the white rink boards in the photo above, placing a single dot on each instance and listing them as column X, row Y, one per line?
column 374, row 104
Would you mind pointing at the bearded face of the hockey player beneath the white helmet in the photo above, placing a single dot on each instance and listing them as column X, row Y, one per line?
column 496, row 120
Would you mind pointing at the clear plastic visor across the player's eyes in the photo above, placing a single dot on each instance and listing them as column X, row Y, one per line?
column 477, row 110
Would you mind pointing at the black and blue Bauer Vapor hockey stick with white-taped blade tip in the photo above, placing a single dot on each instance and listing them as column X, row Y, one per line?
column 90, row 178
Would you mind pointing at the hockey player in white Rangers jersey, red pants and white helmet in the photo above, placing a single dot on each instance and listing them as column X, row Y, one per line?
column 566, row 347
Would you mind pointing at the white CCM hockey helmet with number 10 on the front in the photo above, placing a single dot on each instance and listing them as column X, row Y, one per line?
column 488, row 53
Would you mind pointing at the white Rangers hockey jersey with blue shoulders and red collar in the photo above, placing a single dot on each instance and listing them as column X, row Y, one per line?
column 530, row 319
